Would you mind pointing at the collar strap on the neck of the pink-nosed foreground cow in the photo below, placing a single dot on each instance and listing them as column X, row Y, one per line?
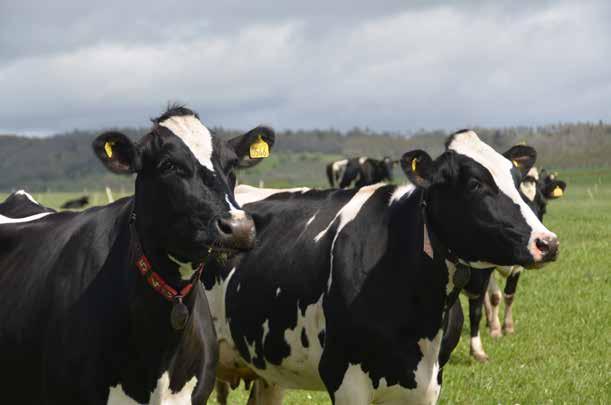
column 442, row 252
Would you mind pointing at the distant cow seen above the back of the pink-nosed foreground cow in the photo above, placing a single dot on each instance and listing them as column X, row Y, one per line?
column 361, row 171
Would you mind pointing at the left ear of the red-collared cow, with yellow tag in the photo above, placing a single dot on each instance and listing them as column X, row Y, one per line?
column 117, row 152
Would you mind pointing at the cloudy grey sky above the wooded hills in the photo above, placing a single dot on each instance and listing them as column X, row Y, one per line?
column 384, row 65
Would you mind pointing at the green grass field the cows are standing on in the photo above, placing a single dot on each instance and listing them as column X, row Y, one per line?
column 561, row 352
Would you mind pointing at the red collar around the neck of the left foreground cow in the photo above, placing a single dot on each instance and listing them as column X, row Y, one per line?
column 153, row 278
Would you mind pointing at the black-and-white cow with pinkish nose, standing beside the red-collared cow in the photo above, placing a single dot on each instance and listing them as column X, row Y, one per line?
column 346, row 290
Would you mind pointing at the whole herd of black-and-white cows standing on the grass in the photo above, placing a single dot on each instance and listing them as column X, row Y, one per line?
column 192, row 280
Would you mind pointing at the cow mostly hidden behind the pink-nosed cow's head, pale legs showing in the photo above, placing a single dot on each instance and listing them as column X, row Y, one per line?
column 481, row 288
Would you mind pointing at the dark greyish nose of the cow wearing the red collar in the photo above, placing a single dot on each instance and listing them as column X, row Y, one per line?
column 236, row 231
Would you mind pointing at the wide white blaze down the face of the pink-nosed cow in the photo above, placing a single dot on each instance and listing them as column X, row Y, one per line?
column 468, row 144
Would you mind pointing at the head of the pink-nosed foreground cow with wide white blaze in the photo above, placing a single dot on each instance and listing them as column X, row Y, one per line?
column 475, row 206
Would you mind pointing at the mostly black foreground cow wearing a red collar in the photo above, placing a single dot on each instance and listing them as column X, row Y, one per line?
column 104, row 305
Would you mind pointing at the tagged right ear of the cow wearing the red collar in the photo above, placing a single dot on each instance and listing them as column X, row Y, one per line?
column 253, row 146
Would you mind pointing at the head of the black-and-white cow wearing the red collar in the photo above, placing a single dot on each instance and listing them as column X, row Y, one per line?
column 184, row 186
